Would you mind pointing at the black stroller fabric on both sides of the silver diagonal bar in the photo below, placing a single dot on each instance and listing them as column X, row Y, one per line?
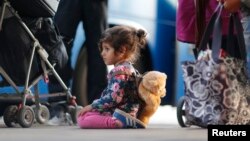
column 16, row 47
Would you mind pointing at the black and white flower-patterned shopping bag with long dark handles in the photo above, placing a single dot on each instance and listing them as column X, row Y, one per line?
column 216, row 84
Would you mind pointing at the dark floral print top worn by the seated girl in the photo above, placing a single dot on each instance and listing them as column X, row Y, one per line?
column 120, row 92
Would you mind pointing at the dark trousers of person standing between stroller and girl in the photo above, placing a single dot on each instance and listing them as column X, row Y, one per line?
column 93, row 14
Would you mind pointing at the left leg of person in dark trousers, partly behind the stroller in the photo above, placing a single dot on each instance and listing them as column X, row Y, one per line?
column 67, row 18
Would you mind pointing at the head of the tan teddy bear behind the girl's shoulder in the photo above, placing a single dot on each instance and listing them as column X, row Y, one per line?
column 153, row 83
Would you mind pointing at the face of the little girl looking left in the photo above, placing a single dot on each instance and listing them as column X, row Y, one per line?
column 109, row 56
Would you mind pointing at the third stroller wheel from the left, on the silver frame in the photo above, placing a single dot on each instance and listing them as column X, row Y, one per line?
column 42, row 114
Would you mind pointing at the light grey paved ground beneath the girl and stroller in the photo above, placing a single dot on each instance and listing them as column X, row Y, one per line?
column 163, row 127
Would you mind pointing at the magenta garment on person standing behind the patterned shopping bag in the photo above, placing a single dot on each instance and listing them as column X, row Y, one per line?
column 185, row 20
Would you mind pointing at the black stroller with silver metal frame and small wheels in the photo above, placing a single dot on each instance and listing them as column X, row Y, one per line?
column 26, row 107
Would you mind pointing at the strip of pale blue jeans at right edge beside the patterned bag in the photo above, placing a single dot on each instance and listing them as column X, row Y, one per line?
column 246, row 27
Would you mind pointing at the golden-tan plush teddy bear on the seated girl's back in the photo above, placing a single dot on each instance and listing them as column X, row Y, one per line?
column 151, row 89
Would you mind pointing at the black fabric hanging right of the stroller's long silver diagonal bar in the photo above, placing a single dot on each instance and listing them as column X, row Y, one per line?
column 48, row 36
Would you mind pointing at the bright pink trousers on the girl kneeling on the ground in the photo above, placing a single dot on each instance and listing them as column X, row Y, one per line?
column 95, row 120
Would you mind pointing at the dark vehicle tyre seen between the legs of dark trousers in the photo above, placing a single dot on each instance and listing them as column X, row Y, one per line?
column 79, row 87
